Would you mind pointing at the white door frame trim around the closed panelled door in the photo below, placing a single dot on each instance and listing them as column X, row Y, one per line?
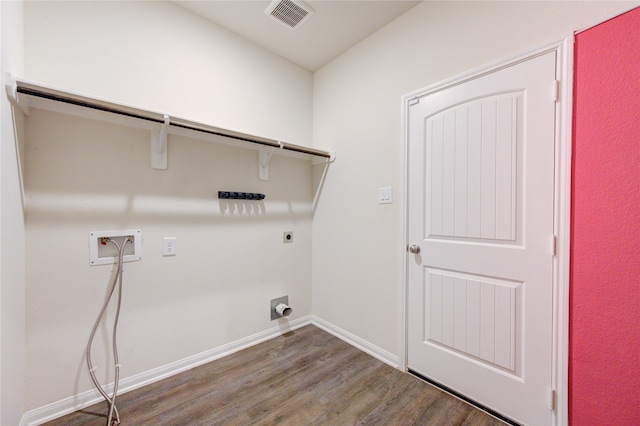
column 559, row 399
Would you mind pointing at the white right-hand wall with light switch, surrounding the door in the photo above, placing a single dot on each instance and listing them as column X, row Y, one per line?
column 358, row 245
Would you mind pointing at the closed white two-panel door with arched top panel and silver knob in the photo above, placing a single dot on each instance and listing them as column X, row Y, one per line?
column 480, row 212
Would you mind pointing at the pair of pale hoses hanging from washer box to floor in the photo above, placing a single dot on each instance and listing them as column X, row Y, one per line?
column 117, row 281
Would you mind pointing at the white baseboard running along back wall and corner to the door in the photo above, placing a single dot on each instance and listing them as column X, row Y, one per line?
column 85, row 399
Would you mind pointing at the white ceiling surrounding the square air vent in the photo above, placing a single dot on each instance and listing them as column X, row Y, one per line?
column 333, row 28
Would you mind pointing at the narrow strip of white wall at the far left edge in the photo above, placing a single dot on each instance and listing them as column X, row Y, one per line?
column 12, row 261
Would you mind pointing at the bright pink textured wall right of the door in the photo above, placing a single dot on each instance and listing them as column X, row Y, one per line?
column 605, row 266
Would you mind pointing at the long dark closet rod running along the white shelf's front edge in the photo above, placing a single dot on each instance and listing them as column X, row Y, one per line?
column 183, row 124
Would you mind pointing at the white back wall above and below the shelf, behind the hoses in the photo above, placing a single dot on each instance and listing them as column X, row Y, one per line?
column 83, row 175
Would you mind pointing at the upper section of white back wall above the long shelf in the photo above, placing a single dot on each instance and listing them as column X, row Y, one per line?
column 157, row 55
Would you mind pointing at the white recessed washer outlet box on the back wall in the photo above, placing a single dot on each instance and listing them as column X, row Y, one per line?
column 103, row 254
